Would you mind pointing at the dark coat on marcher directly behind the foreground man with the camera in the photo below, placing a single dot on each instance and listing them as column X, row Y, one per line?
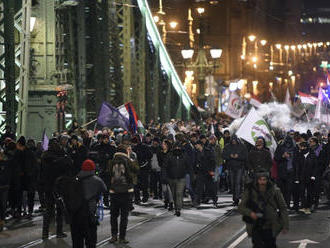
column 259, row 159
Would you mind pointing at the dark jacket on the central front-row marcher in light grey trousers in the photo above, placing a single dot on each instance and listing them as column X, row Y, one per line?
column 177, row 166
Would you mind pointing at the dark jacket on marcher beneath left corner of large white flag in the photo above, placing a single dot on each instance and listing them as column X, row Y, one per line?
column 240, row 150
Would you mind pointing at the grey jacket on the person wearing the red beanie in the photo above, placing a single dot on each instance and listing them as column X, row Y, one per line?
column 93, row 187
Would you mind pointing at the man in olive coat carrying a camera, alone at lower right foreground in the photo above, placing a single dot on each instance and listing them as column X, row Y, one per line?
column 264, row 211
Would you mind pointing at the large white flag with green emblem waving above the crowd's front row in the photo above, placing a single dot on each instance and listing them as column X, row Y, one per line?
column 255, row 126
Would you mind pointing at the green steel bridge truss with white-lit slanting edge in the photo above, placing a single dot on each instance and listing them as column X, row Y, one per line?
column 60, row 59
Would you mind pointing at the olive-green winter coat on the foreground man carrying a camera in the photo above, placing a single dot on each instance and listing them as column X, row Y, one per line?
column 274, row 220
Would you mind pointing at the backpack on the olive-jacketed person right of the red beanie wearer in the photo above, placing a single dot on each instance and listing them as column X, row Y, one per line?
column 120, row 176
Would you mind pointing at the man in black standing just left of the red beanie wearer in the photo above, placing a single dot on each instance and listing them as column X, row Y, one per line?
column 54, row 163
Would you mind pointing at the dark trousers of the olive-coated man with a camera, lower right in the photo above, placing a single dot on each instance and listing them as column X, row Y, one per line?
column 263, row 238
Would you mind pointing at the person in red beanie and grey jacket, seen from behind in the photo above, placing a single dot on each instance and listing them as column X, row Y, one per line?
column 84, row 221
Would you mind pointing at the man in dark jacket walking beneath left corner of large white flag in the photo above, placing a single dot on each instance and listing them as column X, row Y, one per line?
column 235, row 155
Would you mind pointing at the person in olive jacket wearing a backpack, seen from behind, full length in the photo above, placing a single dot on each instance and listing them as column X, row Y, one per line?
column 122, row 170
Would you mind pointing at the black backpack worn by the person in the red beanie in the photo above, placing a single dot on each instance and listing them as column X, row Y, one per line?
column 69, row 194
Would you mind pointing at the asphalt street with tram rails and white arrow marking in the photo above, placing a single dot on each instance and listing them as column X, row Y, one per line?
column 150, row 225
